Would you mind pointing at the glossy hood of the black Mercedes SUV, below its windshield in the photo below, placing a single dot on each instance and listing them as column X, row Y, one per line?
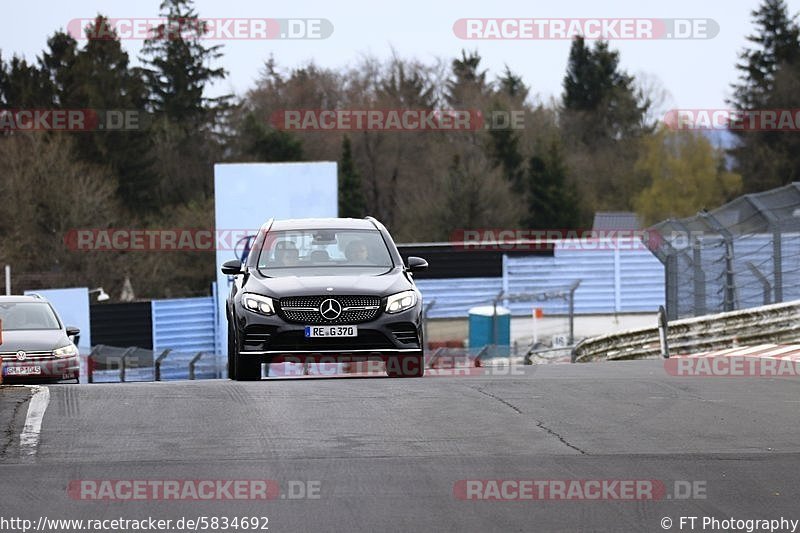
column 362, row 284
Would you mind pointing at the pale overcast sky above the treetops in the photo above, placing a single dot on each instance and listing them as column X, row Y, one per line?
column 696, row 73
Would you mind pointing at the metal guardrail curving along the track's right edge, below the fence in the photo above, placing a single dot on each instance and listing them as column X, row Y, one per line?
column 776, row 323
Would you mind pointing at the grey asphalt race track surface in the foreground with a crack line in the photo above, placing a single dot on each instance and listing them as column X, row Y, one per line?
column 381, row 454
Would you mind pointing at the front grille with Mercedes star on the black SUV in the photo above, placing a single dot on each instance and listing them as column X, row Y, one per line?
column 305, row 309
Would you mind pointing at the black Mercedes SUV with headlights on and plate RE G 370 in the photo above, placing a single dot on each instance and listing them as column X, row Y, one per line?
column 324, row 290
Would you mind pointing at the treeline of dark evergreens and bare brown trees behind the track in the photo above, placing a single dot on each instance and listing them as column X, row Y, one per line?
column 600, row 146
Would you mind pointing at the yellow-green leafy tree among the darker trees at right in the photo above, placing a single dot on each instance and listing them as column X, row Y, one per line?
column 685, row 174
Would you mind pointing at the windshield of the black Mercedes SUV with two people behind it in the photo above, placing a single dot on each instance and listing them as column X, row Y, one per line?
column 328, row 252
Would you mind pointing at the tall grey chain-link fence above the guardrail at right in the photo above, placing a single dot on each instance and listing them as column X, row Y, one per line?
column 743, row 254
